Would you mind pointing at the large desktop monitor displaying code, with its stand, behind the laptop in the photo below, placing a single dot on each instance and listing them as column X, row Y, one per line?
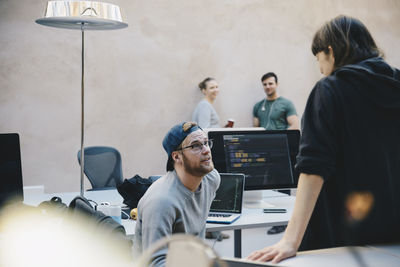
column 266, row 157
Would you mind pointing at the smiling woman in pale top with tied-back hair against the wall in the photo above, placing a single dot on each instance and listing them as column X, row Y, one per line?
column 204, row 113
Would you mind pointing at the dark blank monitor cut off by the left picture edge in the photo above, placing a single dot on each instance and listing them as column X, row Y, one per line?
column 10, row 169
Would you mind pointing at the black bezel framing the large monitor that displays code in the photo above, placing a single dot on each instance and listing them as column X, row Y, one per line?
column 219, row 158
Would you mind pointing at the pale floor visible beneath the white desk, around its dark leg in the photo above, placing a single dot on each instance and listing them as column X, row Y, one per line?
column 252, row 239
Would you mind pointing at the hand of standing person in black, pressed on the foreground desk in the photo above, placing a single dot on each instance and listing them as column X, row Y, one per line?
column 274, row 253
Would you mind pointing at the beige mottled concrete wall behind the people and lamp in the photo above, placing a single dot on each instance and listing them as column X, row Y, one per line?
column 143, row 79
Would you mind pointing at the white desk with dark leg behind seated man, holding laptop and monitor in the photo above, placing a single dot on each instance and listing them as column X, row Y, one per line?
column 251, row 218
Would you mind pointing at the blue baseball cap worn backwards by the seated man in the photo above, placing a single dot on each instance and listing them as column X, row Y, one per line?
column 175, row 137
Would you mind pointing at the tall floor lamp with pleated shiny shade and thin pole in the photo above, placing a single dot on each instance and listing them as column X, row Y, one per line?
column 82, row 15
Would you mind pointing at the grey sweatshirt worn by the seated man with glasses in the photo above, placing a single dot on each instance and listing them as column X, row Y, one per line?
column 168, row 207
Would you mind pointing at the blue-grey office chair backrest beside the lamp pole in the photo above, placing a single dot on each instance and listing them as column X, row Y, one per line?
column 102, row 167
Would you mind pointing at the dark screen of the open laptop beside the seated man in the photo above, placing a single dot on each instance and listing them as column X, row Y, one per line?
column 229, row 196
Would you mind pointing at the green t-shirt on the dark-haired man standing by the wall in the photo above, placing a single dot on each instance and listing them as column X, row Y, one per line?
column 272, row 114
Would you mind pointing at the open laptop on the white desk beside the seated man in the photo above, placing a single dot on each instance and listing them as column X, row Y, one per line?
column 227, row 205
